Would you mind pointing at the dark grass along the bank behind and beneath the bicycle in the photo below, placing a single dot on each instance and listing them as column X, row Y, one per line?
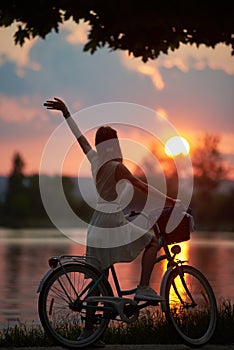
column 150, row 328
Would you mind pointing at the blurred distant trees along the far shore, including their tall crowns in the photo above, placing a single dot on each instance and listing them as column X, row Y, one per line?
column 212, row 205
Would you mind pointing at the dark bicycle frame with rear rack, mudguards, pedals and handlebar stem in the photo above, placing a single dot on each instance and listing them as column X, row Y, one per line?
column 115, row 304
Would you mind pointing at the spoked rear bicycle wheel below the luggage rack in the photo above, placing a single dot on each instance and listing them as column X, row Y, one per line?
column 64, row 314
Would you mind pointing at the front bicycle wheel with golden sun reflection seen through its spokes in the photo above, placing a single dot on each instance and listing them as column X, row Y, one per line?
column 191, row 305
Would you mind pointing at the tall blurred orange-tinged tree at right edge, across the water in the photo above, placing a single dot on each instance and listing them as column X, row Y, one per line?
column 212, row 209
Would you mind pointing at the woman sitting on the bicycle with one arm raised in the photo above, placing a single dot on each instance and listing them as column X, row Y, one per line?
column 110, row 237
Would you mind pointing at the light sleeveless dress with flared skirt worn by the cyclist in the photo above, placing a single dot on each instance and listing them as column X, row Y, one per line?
column 111, row 238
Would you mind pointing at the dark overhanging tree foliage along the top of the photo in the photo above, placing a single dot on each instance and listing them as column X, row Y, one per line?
column 145, row 29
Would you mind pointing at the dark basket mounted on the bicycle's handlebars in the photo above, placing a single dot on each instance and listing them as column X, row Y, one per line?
column 181, row 233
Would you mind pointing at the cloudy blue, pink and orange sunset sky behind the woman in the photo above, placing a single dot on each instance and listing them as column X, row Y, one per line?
column 192, row 88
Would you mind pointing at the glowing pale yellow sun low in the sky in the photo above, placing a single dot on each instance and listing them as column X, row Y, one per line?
column 177, row 145
